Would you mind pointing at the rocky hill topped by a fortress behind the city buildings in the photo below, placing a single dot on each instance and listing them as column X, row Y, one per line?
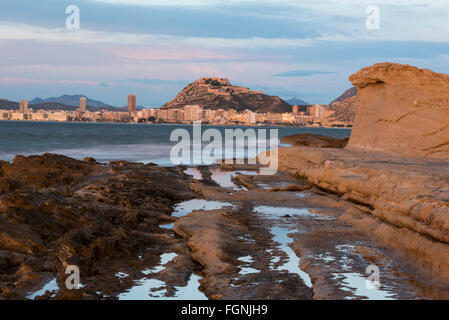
column 218, row 93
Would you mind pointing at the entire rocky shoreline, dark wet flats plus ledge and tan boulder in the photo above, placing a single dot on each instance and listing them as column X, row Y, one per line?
column 334, row 209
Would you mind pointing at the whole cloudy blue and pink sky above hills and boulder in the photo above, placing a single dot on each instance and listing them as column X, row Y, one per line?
column 154, row 48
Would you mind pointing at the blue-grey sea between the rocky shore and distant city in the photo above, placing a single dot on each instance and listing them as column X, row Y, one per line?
column 111, row 141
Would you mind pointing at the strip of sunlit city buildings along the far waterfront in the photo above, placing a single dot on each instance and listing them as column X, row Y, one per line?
column 307, row 115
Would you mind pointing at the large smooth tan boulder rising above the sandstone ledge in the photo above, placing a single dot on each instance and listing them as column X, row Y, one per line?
column 401, row 110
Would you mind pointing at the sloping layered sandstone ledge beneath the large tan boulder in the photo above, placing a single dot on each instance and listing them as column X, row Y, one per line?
column 408, row 195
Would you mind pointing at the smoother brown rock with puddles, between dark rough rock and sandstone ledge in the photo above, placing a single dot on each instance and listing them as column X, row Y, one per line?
column 296, row 245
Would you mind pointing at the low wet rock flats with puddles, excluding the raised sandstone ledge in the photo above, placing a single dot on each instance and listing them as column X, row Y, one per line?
column 213, row 232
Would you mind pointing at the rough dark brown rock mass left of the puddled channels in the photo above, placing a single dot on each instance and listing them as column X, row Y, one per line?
column 57, row 211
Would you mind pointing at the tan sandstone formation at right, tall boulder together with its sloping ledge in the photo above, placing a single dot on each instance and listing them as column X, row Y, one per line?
column 395, row 166
